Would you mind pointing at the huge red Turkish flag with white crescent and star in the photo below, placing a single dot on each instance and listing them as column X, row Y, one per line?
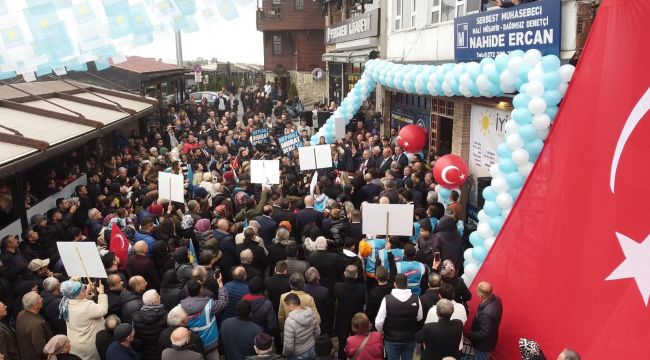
column 571, row 265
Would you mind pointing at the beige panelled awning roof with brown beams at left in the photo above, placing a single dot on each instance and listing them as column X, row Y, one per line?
column 42, row 119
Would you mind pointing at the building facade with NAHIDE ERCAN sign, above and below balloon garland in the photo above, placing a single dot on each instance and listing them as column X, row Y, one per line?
column 441, row 31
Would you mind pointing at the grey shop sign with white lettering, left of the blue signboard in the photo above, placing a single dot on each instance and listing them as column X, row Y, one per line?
column 358, row 27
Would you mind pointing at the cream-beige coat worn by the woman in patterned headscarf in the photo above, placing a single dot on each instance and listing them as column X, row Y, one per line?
column 85, row 320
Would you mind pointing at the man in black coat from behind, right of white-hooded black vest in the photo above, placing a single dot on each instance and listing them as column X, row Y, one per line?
column 441, row 339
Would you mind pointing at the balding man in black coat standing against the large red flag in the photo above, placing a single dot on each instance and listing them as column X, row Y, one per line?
column 485, row 326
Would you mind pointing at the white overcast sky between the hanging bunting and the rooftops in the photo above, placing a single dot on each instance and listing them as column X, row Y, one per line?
column 236, row 41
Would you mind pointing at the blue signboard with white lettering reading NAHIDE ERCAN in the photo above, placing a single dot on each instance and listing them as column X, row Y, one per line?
column 530, row 26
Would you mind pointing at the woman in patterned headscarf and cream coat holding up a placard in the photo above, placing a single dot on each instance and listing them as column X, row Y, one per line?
column 83, row 317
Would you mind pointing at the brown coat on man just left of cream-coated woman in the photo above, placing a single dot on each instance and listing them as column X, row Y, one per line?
column 32, row 333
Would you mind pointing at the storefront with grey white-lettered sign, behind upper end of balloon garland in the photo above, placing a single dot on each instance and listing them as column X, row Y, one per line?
column 350, row 43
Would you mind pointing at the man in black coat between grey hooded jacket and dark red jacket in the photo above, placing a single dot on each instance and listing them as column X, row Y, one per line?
column 350, row 297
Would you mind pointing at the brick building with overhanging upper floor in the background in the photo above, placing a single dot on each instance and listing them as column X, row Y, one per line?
column 293, row 32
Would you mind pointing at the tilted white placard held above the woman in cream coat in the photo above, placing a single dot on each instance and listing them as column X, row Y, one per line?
column 81, row 259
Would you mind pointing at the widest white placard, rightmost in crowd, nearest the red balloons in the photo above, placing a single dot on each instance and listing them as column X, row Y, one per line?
column 375, row 217
